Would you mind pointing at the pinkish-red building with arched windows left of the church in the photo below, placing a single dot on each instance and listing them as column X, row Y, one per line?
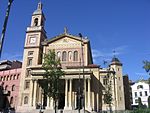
column 9, row 83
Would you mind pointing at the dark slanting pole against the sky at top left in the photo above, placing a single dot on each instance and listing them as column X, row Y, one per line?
column 5, row 25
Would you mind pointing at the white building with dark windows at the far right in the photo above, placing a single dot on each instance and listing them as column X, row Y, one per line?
column 140, row 90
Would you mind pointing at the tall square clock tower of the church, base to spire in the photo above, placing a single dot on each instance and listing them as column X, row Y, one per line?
column 32, row 56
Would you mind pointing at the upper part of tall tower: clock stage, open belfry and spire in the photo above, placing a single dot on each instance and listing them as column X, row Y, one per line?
column 35, row 33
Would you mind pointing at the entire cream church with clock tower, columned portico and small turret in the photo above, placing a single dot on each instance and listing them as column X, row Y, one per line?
column 74, row 53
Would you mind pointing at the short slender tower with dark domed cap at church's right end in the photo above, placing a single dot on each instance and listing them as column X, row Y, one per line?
column 118, row 87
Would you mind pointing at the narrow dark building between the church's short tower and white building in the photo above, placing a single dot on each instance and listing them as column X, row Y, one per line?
column 127, row 92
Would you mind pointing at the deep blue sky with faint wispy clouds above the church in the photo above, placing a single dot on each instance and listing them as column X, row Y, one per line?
column 111, row 25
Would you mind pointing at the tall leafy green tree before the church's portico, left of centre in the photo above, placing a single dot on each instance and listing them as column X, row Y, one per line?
column 52, row 76
